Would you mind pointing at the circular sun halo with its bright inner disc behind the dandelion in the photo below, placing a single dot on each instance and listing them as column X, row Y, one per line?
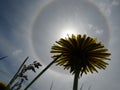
column 41, row 46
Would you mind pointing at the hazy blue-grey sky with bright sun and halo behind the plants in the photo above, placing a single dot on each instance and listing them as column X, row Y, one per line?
column 31, row 27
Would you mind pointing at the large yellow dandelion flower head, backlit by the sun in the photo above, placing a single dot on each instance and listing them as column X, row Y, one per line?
column 80, row 53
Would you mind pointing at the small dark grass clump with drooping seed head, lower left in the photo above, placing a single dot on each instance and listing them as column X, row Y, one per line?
column 21, row 75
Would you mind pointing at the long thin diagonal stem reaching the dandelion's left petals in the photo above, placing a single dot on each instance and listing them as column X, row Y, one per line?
column 41, row 73
